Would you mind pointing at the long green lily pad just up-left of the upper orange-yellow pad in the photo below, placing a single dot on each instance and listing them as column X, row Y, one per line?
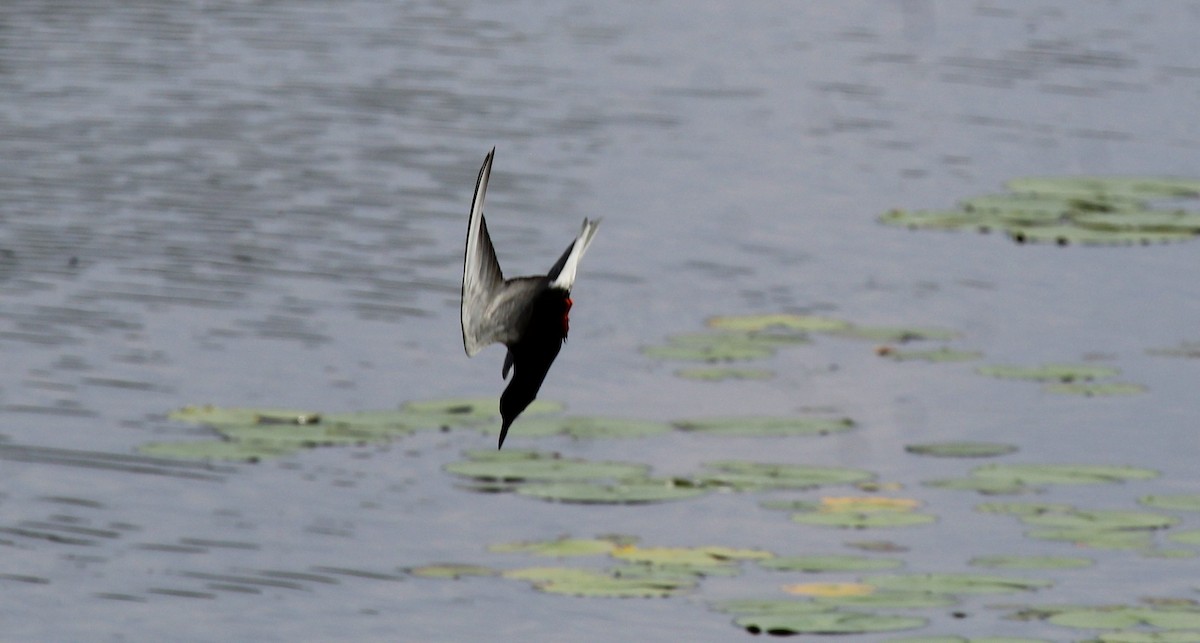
column 742, row 476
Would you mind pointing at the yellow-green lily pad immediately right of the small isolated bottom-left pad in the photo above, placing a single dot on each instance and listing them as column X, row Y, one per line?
column 577, row 582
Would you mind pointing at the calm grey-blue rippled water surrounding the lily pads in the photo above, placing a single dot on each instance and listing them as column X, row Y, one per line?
column 265, row 205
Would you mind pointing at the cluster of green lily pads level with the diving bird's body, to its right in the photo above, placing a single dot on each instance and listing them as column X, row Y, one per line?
column 740, row 339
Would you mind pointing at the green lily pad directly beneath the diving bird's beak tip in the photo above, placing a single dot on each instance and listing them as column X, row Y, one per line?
column 545, row 467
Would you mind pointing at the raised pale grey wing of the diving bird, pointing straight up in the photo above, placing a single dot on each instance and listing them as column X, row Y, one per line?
column 482, row 278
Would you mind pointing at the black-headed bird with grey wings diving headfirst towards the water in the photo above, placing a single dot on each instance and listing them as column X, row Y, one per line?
column 530, row 316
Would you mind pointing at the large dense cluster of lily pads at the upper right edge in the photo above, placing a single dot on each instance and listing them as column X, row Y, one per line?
column 1089, row 211
